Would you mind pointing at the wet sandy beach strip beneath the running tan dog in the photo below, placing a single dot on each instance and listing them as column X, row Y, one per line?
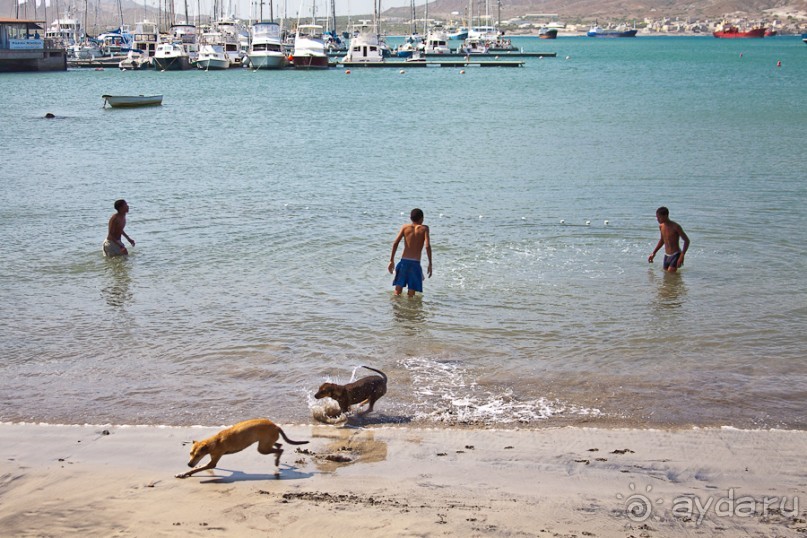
column 110, row 480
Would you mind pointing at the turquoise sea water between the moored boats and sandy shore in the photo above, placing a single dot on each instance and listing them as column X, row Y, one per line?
column 264, row 206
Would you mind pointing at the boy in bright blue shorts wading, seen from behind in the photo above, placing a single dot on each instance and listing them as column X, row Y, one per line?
column 409, row 273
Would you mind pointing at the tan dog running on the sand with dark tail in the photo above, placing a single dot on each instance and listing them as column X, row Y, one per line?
column 235, row 439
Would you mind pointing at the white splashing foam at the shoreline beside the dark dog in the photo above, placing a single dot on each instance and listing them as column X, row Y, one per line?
column 446, row 392
